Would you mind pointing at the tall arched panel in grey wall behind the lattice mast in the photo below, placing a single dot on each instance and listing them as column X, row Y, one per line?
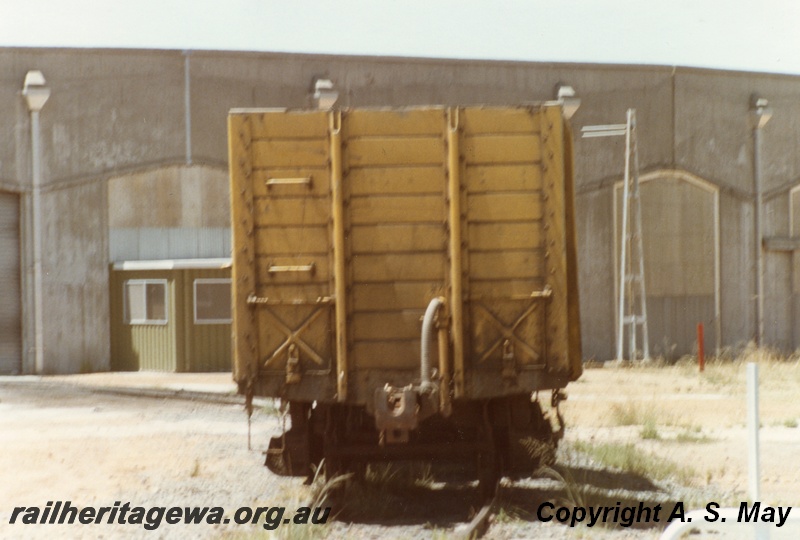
column 680, row 233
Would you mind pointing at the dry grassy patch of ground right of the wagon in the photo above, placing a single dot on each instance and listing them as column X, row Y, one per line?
column 675, row 414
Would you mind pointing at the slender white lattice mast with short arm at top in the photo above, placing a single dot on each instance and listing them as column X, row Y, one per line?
column 632, row 307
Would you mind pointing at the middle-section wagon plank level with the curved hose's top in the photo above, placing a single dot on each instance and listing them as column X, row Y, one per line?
column 396, row 295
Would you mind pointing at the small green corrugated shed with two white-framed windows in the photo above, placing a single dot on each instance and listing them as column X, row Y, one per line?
column 192, row 337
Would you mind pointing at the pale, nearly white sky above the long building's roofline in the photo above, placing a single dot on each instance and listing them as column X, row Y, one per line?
column 758, row 35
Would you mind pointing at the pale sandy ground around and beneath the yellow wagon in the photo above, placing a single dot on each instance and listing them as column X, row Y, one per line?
column 63, row 441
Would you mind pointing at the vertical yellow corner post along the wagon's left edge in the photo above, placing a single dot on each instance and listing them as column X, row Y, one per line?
column 243, row 273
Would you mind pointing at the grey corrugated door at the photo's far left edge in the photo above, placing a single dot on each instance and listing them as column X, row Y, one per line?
column 10, row 309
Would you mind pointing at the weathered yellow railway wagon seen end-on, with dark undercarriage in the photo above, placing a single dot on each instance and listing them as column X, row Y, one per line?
column 405, row 279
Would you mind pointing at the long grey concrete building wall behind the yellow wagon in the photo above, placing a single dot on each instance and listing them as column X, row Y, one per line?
column 122, row 154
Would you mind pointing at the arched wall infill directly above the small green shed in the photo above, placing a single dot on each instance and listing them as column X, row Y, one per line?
column 174, row 212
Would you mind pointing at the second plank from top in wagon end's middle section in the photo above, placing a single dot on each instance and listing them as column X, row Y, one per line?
column 403, row 151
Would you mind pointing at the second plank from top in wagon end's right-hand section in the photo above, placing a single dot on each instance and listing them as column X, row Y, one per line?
column 496, row 149
